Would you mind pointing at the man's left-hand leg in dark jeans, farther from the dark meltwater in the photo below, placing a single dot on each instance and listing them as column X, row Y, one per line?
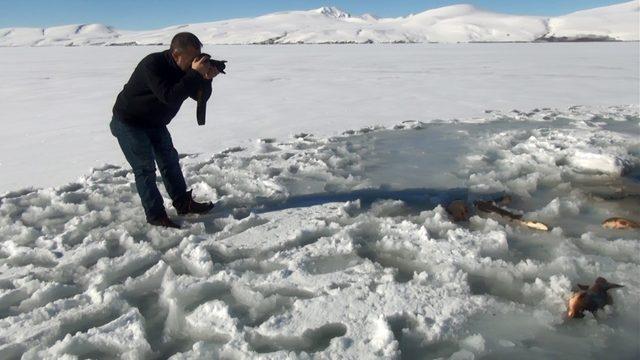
column 136, row 146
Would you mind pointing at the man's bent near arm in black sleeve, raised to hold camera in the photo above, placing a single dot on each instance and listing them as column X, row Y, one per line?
column 167, row 92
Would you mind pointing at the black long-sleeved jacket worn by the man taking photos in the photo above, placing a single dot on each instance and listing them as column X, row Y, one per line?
column 154, row 93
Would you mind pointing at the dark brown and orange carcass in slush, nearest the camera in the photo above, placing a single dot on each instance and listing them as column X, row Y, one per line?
column 590, row 298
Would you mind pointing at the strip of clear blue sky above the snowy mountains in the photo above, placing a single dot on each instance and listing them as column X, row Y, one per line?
column 149, row 14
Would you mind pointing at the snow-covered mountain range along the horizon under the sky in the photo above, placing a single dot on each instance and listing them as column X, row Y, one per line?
column 456, row 23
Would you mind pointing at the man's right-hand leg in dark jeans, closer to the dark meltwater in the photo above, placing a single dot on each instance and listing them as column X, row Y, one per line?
column 168, row 163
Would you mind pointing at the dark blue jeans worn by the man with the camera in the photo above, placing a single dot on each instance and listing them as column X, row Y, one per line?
column 141, row 146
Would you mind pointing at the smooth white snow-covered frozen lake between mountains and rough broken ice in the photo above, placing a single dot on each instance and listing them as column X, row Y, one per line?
column 57, row 101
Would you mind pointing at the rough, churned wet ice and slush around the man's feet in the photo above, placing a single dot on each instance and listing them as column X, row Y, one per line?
column 338, row 247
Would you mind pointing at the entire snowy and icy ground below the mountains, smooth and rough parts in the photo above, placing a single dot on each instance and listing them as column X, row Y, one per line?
column 330, row 239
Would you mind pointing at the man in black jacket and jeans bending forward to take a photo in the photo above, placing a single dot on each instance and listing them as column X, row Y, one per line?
column 147, row 103
